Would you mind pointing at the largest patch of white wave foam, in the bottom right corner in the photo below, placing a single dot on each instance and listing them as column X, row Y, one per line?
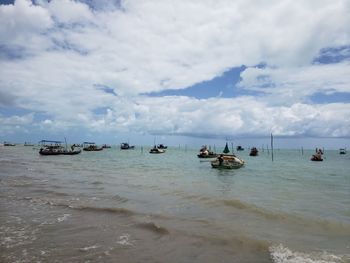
column 281, row 254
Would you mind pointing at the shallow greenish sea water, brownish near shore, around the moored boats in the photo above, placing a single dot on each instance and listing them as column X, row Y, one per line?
column 132, row 206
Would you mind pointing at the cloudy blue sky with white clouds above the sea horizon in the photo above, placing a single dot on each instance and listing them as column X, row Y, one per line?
column 180, row 72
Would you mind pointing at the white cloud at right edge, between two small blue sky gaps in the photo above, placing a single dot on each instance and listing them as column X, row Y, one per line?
column 289, row 85
